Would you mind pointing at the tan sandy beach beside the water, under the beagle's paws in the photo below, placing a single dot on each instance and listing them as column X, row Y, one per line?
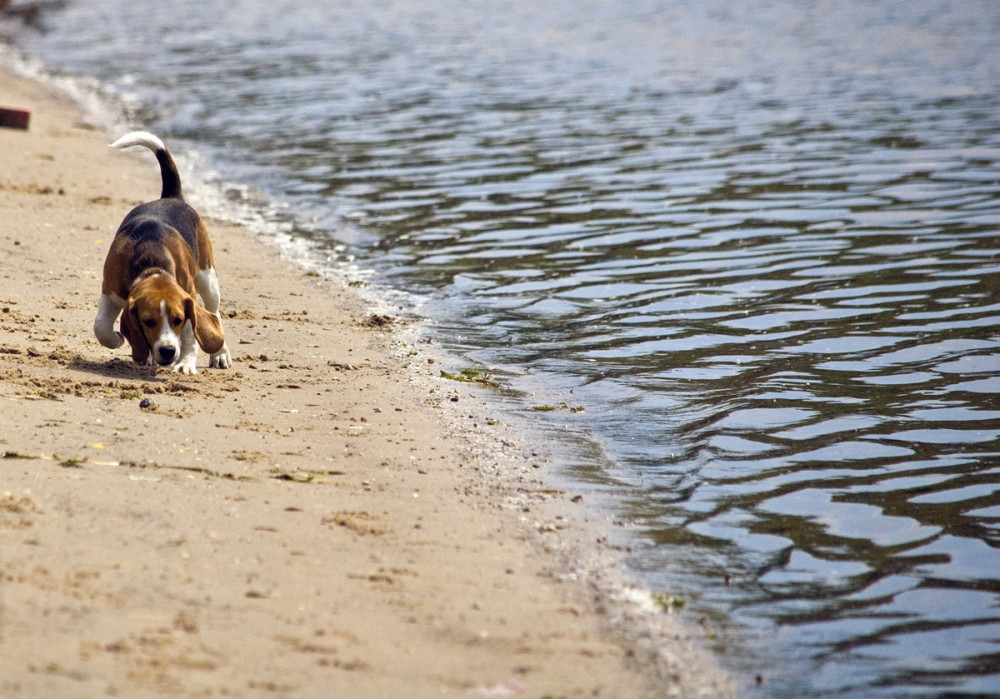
column 318, row 520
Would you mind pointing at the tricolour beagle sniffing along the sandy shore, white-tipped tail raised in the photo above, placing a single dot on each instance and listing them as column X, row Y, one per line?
column 160, row 257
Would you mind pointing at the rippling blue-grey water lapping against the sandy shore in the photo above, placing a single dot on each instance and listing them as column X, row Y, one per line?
column 756, row 242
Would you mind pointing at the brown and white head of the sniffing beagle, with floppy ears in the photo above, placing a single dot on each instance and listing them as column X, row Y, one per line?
column 156, row 317
